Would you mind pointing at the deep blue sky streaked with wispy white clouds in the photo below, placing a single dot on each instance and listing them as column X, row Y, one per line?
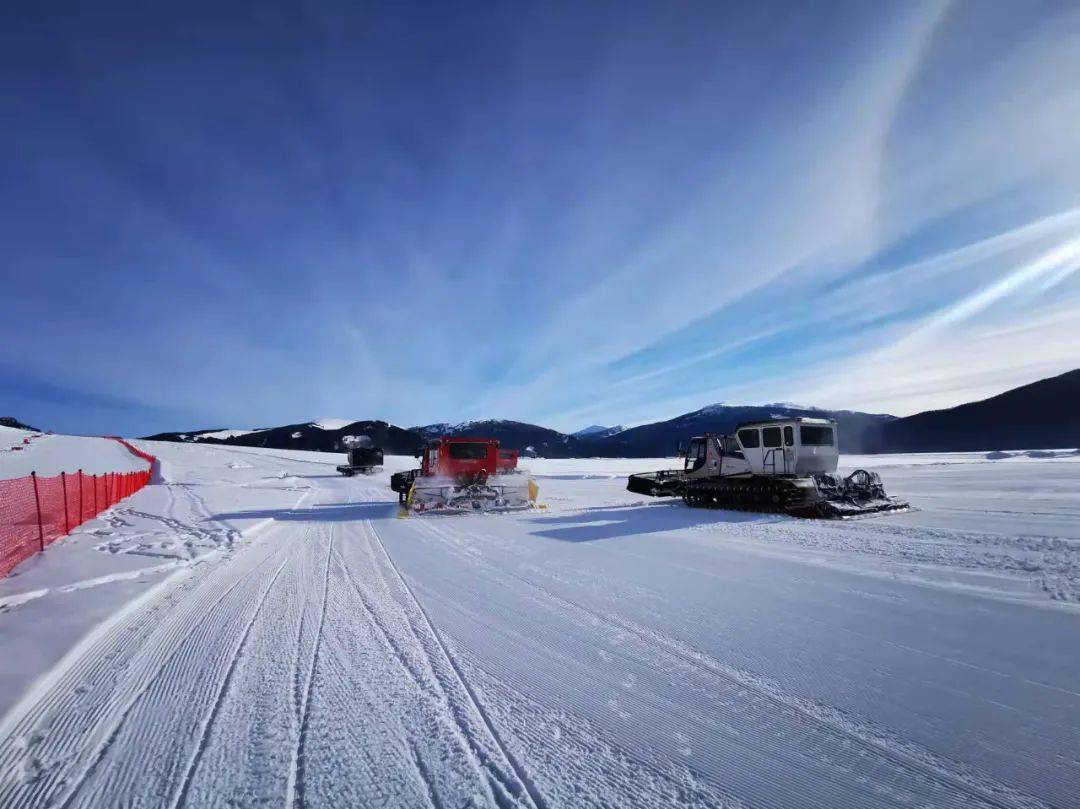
column 224, row 217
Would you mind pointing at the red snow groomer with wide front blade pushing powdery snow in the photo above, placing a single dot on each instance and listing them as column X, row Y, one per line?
column 465, row 475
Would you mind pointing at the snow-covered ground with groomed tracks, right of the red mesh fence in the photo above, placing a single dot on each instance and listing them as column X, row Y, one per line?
column 259, row 630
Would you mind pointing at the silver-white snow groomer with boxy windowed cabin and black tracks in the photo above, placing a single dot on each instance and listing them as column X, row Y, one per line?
column 786, row 466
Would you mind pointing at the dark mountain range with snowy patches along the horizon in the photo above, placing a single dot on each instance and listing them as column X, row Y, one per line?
column 1016, row 420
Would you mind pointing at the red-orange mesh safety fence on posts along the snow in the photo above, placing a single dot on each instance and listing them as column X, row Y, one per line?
column 36, row 511
